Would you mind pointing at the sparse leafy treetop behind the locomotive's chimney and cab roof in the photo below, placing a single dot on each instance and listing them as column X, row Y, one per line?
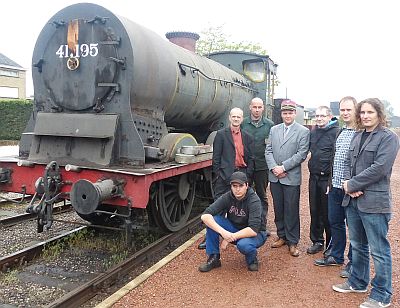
column 214, row 39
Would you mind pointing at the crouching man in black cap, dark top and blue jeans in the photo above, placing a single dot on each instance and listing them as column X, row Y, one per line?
column 237, row 217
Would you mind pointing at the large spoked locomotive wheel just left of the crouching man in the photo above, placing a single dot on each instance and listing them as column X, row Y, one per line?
column 172, row 201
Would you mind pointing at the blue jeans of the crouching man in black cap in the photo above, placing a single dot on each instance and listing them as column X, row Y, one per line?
column 247, row 246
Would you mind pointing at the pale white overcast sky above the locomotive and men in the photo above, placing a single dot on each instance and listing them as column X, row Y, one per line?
column 325, row 49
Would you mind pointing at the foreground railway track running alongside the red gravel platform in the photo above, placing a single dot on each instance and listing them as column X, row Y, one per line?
column 80, row 264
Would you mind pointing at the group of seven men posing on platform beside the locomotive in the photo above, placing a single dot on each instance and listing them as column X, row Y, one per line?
column 350, row 169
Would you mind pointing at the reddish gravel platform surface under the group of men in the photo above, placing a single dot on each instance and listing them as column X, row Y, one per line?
column 282, row 281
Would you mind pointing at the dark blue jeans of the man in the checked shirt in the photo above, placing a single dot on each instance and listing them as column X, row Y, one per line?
column 336, row 217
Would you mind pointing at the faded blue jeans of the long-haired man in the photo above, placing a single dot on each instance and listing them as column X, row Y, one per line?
column 369, row 232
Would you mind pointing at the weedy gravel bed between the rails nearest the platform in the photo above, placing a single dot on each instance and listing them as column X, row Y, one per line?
column 61, row 270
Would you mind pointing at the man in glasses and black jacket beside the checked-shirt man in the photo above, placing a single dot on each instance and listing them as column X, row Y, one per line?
column 322, row 141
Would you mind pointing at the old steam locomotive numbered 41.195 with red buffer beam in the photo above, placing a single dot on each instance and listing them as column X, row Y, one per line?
column 123, row 120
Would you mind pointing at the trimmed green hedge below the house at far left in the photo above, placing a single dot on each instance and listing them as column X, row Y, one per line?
column 14, row 115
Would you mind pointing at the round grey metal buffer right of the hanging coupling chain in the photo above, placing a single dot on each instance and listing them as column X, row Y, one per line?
column 86, row 196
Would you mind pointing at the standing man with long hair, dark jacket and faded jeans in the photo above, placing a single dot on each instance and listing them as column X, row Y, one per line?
column 368, row 203
